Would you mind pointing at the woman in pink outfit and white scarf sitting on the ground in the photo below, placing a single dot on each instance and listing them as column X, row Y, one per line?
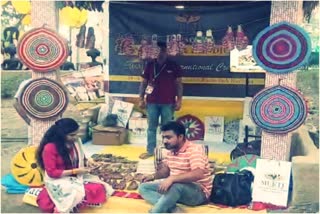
column 67, row 182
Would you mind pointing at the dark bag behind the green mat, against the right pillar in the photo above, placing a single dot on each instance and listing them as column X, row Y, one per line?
column 253, row 147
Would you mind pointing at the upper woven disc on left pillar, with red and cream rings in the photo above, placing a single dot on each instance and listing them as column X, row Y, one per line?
column 42, row 50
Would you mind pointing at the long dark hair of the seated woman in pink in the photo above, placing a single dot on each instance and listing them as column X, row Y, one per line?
column 57, row 134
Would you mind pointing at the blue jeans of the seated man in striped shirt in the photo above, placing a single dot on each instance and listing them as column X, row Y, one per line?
column 189, row 194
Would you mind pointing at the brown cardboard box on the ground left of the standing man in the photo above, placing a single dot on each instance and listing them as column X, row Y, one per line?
column 109, row 135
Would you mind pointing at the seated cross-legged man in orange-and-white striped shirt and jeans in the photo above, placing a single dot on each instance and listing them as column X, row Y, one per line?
column 186, row 172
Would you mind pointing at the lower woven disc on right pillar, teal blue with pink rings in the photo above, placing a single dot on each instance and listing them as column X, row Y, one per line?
column 278, row 109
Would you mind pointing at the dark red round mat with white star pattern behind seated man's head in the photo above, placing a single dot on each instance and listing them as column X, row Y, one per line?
column 194, row 127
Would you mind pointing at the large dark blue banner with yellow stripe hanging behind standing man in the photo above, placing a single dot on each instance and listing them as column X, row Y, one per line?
column 197, row 39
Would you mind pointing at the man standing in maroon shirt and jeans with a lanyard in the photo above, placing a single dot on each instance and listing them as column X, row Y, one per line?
column 163, row 85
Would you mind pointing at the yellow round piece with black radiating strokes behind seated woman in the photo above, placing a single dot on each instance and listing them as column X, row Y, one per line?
column 25, row 169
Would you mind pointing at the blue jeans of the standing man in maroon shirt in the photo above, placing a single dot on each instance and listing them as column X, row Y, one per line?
column 154, row 111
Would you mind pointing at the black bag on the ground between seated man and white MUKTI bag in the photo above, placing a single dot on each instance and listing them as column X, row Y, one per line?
column 232, row 189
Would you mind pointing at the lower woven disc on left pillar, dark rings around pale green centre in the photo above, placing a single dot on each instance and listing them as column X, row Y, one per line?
column 44, row 98
